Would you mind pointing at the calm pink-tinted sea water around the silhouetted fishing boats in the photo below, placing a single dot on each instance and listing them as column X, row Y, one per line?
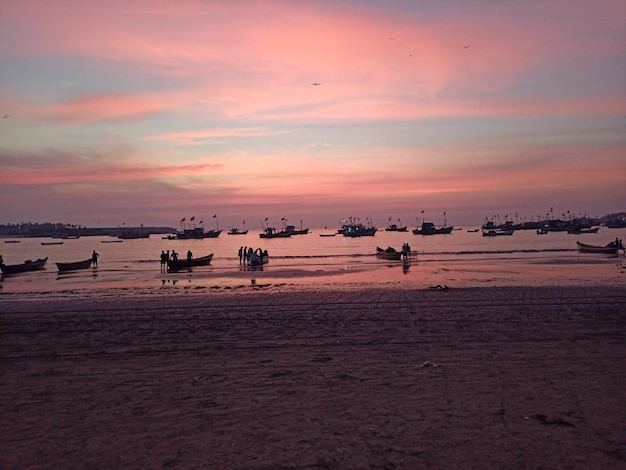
column 463, row 258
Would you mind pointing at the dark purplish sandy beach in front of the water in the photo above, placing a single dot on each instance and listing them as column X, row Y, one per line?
column 375, row 378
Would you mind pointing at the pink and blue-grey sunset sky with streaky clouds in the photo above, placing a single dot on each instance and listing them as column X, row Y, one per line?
column 146, row 112
